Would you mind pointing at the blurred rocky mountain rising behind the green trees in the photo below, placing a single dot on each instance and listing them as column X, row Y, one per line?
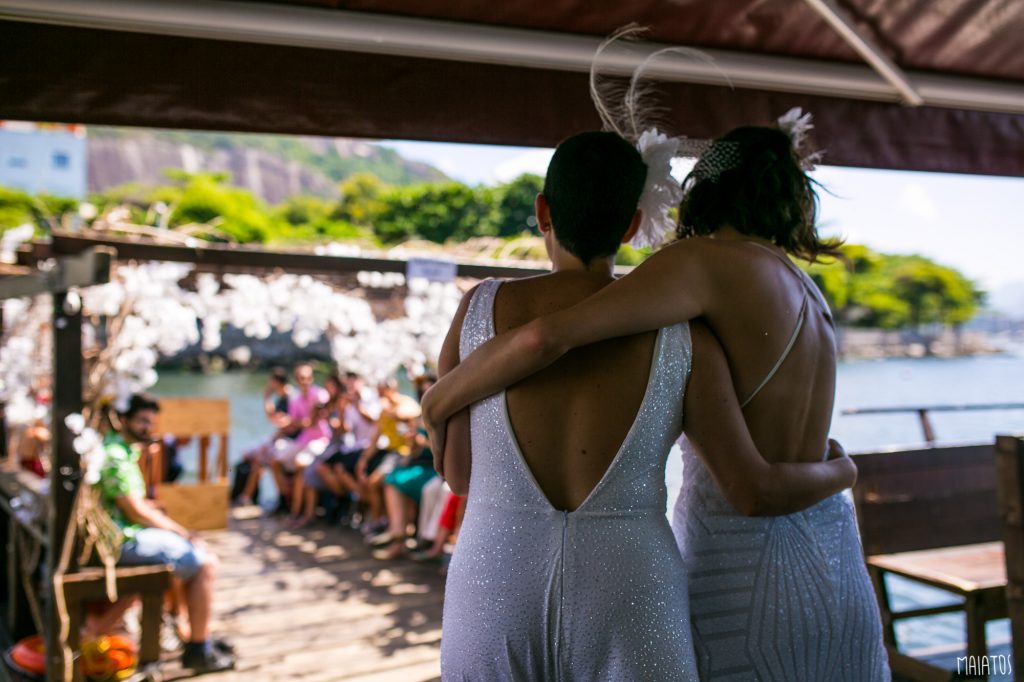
column 273, row 167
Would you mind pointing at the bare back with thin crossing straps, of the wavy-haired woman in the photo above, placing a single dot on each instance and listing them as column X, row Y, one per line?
column 791, row 415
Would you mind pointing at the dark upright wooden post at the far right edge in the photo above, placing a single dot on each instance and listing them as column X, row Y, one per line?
column 1010, row 474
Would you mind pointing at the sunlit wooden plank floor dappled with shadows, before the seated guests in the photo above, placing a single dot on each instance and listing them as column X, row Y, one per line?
column 315, row 607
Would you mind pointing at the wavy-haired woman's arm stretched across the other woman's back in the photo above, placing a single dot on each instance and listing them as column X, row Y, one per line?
column 666, row 289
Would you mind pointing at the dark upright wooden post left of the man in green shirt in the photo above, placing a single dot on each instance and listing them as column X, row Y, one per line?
column 65, row 463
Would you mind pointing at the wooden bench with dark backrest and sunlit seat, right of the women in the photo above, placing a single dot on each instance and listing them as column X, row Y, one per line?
column 930, row 517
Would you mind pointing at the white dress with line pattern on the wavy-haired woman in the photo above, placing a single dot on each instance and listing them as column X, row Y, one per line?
column 777, row 598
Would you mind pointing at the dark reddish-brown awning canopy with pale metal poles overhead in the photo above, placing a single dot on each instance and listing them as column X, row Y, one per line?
column 935, row 86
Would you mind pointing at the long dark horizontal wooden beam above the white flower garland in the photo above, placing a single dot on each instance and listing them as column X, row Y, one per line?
column 247, row 260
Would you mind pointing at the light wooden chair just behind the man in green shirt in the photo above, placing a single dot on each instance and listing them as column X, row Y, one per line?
column 204, row 505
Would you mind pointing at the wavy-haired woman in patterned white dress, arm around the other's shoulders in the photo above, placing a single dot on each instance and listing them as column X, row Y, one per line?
column 800, row 602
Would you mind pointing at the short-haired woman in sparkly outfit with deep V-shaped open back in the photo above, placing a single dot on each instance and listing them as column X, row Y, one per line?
column 566, row 567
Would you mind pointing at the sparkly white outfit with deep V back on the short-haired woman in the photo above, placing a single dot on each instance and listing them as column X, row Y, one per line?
column 600, row 593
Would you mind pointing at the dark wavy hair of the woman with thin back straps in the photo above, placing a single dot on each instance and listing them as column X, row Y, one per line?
column 765, row 194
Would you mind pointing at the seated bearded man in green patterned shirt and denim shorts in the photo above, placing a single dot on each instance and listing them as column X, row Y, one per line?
column 151, row 537
